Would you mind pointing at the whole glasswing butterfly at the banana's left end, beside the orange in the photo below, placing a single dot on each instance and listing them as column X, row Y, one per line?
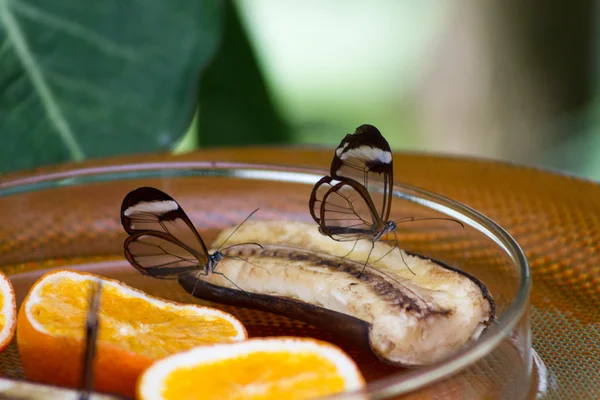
column 163, row 242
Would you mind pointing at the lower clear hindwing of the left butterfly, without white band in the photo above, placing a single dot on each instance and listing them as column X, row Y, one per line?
column 161, row 255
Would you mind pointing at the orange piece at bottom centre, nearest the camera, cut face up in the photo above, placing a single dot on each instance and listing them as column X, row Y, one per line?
column 265, row 368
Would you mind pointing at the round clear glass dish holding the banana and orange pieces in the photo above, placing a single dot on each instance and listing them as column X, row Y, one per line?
column 71, row 218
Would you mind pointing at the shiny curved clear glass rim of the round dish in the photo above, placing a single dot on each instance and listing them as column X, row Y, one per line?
column 392, row 385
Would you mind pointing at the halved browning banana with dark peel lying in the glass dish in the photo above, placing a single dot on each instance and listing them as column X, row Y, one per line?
column 407, row 318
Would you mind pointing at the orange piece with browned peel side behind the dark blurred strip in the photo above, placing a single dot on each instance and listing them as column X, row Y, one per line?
column 135, row 330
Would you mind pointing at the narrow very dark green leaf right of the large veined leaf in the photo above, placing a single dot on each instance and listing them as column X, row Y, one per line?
column 235, row 107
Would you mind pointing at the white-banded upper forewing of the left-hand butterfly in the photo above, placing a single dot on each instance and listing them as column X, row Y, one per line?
column 149, row 209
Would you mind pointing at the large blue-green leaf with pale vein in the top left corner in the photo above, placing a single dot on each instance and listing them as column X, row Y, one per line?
column 91, row 79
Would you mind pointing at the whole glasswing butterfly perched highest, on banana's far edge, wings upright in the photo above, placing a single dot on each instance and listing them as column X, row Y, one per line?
column 342, row 203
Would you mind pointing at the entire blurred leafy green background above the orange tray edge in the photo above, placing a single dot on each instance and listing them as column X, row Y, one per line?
column 507, row 80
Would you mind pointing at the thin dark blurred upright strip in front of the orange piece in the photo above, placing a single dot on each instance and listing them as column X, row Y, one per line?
column 92, row 326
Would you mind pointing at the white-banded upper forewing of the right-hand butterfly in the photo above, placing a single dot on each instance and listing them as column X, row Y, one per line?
column 366, row 158
